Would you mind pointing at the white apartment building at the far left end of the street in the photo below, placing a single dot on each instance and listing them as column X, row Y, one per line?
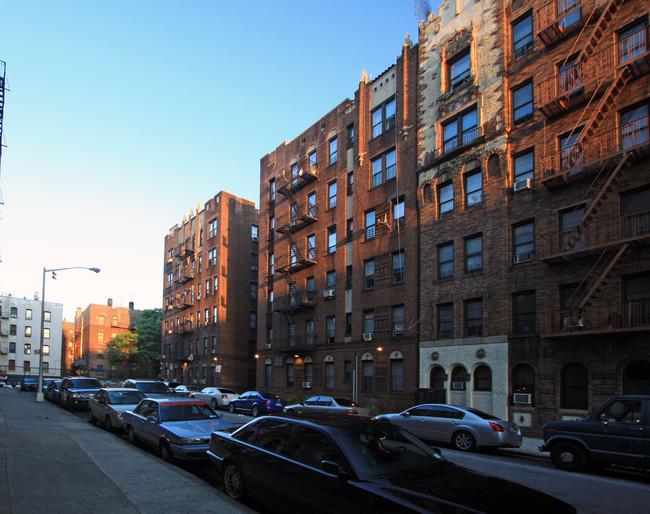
column 20, row 325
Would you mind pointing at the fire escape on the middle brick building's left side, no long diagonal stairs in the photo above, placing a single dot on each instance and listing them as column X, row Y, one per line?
column 298, row 258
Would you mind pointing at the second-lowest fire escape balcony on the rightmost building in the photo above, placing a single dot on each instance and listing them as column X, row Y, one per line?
column 565, row 245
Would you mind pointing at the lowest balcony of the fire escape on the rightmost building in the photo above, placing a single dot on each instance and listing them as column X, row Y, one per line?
column 590, row 320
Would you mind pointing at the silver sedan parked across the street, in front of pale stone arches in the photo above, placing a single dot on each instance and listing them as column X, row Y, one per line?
column 464, row 427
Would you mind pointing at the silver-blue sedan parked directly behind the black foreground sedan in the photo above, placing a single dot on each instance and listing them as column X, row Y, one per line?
column 178, row 428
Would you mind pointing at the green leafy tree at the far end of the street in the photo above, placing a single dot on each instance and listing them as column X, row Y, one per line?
column 138, row 353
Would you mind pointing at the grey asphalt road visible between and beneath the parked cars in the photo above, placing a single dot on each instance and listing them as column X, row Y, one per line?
column 606, row 491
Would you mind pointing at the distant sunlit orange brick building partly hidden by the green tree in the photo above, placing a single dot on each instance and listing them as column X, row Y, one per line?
column 86, row 349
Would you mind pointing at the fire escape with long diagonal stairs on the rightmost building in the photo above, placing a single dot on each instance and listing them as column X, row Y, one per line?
column 595, row 77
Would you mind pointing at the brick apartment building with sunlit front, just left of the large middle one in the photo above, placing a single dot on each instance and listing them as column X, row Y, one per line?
column 210, row 295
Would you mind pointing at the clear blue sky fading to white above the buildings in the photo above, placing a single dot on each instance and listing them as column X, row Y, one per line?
column 123, row 115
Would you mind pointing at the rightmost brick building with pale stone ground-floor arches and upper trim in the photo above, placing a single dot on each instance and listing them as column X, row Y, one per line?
column 535, row 205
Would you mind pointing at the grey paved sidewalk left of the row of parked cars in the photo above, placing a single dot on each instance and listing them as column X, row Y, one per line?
column 53, row 461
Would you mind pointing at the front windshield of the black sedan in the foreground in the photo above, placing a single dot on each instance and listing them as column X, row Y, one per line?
column 384, row 450
